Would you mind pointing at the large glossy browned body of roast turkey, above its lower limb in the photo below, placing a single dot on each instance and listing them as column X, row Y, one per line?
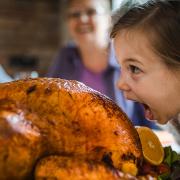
column 48, row 116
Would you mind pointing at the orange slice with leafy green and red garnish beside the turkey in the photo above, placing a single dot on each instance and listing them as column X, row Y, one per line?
column 160, row 162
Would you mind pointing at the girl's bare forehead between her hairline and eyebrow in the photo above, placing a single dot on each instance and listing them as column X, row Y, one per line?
column 135, row 45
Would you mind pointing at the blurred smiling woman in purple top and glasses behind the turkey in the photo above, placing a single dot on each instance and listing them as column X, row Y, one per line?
column 89, row 57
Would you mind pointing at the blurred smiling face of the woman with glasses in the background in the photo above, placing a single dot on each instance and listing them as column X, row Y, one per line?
column 87, row 20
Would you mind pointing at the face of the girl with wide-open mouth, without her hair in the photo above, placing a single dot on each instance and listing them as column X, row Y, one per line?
column 145, row 78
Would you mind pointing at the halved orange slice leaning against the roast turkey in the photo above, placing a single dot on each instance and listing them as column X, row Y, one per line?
column 153, row 151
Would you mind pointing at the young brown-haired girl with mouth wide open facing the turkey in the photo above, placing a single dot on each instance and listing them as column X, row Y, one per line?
column 147, row 45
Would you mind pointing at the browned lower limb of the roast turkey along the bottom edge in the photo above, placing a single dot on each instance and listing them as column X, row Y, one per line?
column 58, row 167
